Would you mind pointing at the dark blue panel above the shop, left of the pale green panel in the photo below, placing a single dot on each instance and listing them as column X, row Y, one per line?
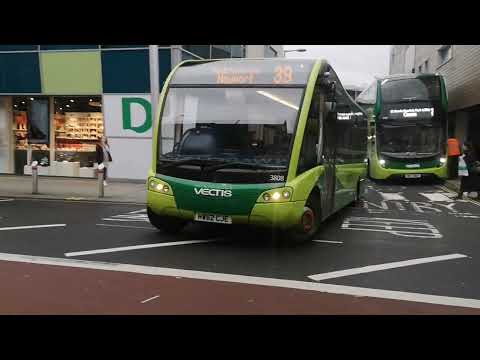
column 19, row 73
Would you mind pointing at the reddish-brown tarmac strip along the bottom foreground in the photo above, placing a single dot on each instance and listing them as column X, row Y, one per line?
column 46, row 289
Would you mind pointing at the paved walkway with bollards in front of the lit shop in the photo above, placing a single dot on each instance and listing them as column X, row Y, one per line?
column 72, row 189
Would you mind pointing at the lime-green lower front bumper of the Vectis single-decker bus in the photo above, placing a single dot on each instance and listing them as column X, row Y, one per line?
column 279, row 215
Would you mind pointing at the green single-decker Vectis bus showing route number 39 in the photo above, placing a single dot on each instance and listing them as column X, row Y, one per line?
column 269, row 142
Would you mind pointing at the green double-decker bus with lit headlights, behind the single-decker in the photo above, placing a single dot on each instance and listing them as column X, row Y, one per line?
column 407, row 127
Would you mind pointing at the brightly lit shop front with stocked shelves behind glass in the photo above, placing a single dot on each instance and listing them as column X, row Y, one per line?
column 74, row 126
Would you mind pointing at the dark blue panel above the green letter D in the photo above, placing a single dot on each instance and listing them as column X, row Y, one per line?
column 125, row 71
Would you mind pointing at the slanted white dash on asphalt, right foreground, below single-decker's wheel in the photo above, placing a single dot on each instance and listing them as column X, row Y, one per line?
column 392, row 265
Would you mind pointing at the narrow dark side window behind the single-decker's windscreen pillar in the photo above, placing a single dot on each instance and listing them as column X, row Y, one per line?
column 308, row 153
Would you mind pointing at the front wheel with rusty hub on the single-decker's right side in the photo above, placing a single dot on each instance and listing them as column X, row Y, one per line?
column 309, row 222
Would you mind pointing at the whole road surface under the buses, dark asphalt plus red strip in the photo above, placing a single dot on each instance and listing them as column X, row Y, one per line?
column 407, row 248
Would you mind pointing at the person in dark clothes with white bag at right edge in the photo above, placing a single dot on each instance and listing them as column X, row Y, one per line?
column 469, row 171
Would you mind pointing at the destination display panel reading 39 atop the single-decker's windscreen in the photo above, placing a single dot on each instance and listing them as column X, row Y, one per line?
column 270, row 72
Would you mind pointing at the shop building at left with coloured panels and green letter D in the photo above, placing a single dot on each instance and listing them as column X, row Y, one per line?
column 79, row 93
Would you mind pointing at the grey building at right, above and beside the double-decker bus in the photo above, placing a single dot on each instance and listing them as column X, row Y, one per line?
column 460, row 66
